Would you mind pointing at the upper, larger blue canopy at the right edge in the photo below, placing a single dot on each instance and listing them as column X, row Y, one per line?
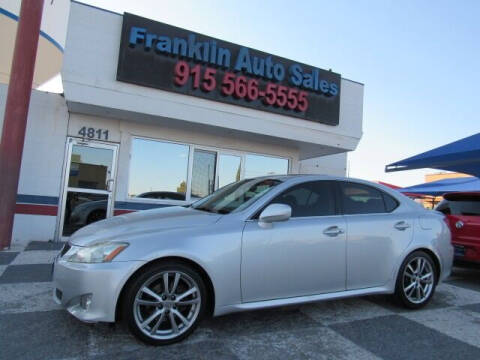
column 459, row 156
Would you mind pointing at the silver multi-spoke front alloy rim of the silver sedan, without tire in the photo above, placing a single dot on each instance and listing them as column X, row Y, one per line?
column 167, row 305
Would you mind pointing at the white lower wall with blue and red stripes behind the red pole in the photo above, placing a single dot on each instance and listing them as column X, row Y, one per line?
column 42, row 166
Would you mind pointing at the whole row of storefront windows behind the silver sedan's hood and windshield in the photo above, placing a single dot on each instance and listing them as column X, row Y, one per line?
column 160, row 170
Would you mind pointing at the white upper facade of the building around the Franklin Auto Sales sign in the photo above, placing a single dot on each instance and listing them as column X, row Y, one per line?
column 89, row 77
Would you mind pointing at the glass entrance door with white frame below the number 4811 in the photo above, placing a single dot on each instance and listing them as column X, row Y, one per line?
column 89, row 183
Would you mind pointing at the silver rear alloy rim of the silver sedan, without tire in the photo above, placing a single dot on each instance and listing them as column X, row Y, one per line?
column 418, row 280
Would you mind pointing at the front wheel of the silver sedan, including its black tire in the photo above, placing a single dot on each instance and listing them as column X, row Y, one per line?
column 162, row 312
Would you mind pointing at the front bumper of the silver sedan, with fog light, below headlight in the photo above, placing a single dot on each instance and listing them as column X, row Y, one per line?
column 90, row 291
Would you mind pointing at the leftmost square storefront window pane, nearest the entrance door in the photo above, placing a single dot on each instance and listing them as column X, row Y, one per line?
column 158, row 170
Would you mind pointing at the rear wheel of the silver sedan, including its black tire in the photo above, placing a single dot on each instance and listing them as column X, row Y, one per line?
column 416, row 280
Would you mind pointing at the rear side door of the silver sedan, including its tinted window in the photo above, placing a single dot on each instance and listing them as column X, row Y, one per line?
column 376, row 234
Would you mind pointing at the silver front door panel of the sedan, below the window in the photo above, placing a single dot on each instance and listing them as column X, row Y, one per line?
column 301, row 256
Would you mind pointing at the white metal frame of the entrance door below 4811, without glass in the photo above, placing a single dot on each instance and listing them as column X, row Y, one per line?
column 71, row 141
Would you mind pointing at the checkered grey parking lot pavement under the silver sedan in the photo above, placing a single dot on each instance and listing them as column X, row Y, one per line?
column 32, row 326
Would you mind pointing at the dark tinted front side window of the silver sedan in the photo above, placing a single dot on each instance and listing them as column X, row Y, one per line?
column 309, row 199
